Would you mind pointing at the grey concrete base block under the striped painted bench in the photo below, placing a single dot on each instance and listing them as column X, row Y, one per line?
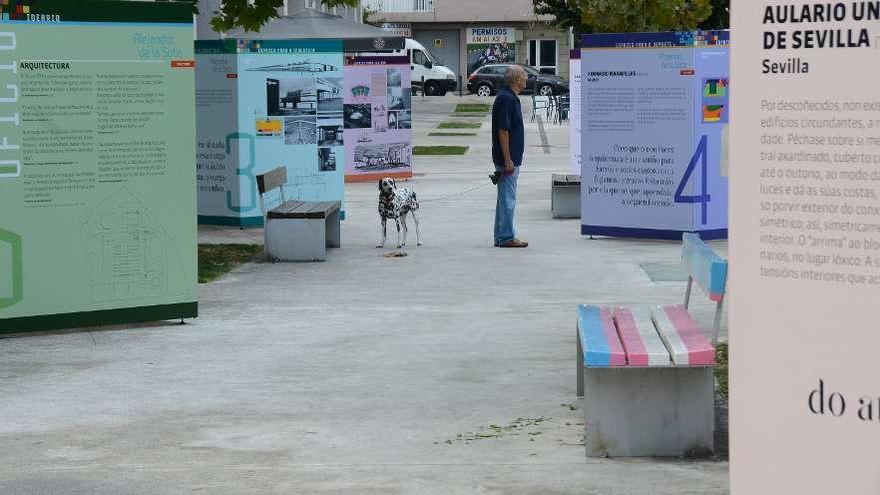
column 649, row 411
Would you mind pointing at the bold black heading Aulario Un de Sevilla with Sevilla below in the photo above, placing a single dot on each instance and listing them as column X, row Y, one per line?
column 799, row 27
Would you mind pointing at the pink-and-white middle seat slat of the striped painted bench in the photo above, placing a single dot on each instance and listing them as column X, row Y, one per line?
column 639, row 338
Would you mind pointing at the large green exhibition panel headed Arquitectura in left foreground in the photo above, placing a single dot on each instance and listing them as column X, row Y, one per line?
column 97, row 180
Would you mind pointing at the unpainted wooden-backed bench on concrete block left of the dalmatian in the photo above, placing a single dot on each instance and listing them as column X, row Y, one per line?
column 297, row 230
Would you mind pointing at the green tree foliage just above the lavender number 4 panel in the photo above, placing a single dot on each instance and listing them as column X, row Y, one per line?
column 626, row 16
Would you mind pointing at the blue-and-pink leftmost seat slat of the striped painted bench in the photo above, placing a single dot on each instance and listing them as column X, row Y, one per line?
column 599, row 339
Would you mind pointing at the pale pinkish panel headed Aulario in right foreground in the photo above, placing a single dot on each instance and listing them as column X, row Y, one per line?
column 805, row 248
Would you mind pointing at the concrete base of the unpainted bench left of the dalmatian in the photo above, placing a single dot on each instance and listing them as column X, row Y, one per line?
column 301, row 239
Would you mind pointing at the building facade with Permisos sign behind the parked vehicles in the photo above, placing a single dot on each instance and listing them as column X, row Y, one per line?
column 465, row 34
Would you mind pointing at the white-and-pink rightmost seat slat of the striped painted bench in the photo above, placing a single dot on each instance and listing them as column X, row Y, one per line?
column 683, row 338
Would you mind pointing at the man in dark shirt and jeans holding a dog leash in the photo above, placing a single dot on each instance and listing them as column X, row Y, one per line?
column 508, row 145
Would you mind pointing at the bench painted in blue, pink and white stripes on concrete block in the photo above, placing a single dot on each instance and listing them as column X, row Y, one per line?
column 647, row 372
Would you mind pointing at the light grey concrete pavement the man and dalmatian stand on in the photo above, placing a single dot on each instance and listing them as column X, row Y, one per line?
column 447, row 371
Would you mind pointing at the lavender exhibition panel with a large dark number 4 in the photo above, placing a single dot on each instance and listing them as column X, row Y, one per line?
column 655, row 112
